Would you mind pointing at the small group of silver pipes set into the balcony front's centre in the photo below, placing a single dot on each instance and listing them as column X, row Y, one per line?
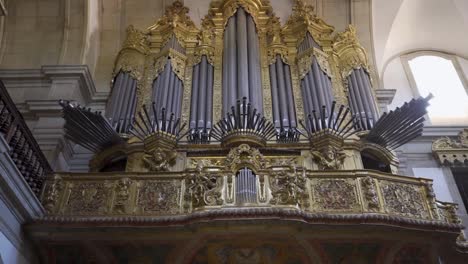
column 246, row 186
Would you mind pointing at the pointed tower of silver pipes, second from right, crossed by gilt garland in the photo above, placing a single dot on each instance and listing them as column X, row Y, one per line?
column 316, row 85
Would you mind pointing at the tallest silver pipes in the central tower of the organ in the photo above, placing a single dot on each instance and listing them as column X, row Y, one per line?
column 241, row 62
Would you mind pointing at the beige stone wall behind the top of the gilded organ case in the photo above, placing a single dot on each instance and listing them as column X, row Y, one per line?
column 91, row 32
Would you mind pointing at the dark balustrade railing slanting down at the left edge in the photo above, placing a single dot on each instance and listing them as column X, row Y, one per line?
column 24, row 150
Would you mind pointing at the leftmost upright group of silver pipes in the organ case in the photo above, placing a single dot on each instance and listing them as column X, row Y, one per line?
column 122, row 102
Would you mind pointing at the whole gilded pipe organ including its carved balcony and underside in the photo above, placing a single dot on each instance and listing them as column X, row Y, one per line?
column 244, row 118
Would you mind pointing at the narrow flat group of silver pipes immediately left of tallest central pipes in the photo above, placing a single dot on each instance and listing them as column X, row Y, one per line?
column 202, row 97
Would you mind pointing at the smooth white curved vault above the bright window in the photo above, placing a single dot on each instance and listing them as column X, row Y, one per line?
column 402, row 26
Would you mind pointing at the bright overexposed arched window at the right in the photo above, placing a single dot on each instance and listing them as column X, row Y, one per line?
column 438, row 75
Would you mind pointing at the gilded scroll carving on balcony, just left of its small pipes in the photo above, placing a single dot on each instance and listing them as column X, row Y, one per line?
column 203, row 189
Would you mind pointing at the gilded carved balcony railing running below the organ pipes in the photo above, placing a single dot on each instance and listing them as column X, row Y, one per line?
column 327, row 195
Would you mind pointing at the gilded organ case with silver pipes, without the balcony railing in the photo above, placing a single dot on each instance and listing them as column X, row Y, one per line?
column 182, row 92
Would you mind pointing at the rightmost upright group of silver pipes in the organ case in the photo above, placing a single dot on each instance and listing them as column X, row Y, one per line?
column 361, row 99
